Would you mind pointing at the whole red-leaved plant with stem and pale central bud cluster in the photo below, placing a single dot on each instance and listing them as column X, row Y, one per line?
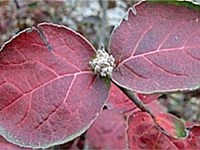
column 54, row 84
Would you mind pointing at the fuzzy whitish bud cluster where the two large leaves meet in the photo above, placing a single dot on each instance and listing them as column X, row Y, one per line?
column 103, row 64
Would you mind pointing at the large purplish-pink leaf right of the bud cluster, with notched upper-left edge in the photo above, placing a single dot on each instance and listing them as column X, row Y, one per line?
column 158, row 49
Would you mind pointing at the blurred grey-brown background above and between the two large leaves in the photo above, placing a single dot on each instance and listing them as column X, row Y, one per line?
column 94, row 19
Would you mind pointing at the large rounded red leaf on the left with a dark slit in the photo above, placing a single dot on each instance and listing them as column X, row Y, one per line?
column 48, row 97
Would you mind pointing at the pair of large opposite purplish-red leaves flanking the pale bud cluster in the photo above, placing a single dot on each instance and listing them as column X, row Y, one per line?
column 51, row 97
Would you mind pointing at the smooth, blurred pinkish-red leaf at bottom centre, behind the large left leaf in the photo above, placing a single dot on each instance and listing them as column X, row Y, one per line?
column 107, row 132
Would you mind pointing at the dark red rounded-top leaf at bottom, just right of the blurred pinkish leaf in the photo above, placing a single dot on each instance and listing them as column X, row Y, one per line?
column 142, row 134
